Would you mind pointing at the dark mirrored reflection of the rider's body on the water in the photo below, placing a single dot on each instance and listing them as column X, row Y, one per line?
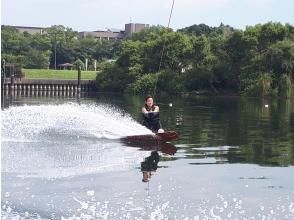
column 149, row 165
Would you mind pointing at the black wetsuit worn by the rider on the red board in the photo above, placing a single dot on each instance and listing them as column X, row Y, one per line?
column 151, row 120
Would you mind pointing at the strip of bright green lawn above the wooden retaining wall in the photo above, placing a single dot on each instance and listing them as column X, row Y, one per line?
column 57, row 74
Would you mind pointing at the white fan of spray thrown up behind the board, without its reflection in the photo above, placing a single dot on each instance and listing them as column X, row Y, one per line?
column 67, row 120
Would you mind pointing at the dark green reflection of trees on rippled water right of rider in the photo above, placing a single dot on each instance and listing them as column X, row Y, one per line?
column 254, row 133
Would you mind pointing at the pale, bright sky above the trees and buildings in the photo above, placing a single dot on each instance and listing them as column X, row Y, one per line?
column 90, row 15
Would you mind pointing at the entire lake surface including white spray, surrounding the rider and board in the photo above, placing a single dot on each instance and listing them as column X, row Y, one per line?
column 62, row 158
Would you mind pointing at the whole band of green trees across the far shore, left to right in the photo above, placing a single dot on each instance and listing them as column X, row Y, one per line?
column 257, row 61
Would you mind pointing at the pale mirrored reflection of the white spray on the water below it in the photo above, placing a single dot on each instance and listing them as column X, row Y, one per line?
column 60, row 160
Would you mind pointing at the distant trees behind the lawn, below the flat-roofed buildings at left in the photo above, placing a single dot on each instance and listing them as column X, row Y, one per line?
column 39, row 51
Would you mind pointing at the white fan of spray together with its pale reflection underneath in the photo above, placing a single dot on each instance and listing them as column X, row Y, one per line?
column 55, row 141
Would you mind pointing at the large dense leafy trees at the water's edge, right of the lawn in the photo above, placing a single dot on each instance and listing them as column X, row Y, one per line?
column 258, row 61
